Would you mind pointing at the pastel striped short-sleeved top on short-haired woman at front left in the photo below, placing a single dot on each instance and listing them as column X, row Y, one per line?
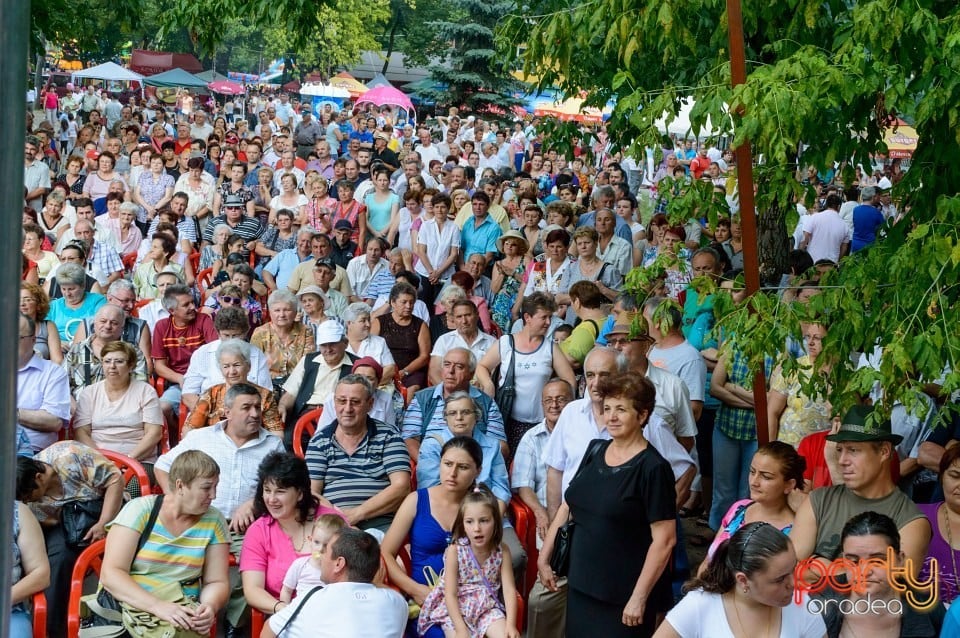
column 166, row 557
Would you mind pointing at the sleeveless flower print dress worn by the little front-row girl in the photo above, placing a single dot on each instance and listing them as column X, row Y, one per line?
column 478, row 594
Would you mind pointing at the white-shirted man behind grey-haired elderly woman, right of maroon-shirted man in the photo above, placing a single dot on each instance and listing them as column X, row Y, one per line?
column 204, row 370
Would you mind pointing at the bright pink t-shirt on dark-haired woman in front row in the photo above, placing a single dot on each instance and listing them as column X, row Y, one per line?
column 267, row 549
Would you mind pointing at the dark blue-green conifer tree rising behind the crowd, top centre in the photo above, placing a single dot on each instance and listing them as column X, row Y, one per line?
column 476, row 77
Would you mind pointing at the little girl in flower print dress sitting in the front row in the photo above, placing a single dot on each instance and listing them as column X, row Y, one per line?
column 467, row 603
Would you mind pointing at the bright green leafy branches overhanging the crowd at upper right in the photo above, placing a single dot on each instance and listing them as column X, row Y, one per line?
column 826, row 76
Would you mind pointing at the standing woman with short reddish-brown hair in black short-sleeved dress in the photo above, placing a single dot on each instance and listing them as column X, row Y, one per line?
column 624, row 504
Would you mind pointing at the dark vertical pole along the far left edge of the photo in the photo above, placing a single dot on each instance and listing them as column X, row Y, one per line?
column 14, row 16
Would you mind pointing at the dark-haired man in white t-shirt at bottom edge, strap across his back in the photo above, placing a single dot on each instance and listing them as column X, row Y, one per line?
column 350, row 604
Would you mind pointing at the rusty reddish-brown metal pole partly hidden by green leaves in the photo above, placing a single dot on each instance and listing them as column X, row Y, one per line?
column 748, row 212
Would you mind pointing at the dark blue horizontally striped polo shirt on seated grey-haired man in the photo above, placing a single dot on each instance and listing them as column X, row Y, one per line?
column 351, row 479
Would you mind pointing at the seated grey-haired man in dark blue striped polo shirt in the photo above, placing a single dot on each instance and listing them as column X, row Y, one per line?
column 358, row 463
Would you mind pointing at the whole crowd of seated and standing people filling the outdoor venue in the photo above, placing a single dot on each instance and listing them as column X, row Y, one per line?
column 446, row 302
